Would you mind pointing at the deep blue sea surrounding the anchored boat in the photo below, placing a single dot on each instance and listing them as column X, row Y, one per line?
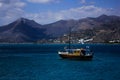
column 41, row 62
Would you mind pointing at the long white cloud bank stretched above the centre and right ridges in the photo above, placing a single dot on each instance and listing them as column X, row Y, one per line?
column 73, row 13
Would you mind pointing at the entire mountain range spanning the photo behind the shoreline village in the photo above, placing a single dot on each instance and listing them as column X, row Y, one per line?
column 102, row 29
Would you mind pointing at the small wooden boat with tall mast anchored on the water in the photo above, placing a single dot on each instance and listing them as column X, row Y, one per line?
column 81, row 53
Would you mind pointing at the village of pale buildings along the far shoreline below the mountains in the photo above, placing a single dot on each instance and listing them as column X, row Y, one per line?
column 73, row 39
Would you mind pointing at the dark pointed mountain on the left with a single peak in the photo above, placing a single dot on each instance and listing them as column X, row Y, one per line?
column 21, row 30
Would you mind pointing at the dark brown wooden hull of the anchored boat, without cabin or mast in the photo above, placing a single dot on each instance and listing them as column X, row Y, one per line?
column 78, row 57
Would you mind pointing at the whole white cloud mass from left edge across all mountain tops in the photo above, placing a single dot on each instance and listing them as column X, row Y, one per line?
column 11, row 10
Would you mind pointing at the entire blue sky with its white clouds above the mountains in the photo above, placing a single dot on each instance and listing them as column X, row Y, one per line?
column 49, row 11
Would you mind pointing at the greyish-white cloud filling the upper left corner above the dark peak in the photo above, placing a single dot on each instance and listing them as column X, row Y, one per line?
column 10, row 10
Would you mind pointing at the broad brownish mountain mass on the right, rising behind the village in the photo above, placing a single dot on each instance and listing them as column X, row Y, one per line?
column 102, row 29
